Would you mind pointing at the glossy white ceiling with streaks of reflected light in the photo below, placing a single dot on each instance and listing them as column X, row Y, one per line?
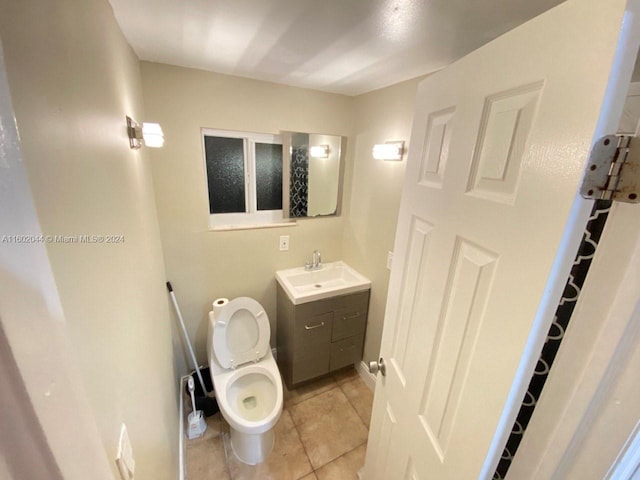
column 340, row 46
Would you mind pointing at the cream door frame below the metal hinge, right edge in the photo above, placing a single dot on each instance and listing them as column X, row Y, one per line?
column 597, row 348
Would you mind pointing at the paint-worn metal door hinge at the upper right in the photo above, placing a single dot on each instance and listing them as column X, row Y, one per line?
column 613, row 170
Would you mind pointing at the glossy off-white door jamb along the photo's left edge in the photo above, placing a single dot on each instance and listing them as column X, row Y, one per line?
column 40, row 381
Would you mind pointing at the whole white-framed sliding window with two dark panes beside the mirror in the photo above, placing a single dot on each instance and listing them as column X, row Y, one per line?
column 244, row 178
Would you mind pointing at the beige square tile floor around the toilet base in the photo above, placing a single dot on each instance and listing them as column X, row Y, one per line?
column 321, row 435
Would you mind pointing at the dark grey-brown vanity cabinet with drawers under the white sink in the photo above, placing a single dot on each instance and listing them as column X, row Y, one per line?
column 321, row 336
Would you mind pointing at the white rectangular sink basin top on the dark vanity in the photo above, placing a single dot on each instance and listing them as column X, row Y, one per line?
column 336, row 278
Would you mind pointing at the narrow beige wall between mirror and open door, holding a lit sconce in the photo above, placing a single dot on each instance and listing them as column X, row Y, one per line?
column 372, row 207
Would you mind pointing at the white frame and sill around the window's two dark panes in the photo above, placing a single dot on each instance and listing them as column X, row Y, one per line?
column 252, row 217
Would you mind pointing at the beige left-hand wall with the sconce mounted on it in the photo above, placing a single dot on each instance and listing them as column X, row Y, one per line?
column 73, row 78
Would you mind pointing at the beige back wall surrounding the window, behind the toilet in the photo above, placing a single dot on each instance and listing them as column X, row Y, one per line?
column 203, row 265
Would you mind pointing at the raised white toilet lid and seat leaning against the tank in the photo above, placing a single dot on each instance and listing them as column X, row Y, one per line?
column 241, row 333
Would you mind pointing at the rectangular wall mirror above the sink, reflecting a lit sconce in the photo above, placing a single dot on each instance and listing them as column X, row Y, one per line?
column 313, row 170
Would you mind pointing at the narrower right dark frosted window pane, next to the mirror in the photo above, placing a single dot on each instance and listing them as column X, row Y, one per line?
column 269, row 176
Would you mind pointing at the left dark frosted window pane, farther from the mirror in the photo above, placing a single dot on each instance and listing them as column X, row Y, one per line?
column 225, row 174
